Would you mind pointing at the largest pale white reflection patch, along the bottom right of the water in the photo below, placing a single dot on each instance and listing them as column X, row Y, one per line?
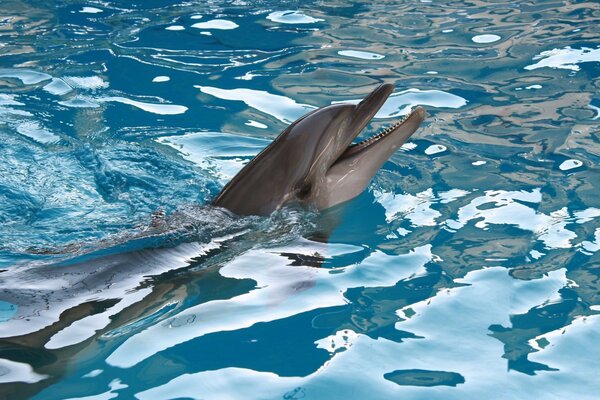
column 454, row 327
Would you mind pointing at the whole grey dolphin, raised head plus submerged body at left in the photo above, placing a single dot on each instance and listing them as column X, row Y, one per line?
column 313, row 163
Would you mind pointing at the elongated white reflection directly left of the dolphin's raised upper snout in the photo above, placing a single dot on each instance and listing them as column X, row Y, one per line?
column 281, row 107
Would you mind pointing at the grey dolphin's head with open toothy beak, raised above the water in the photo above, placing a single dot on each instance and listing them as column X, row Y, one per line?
column 314, row 162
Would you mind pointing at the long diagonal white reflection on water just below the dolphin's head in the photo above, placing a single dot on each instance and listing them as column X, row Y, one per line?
column 271, row 302
